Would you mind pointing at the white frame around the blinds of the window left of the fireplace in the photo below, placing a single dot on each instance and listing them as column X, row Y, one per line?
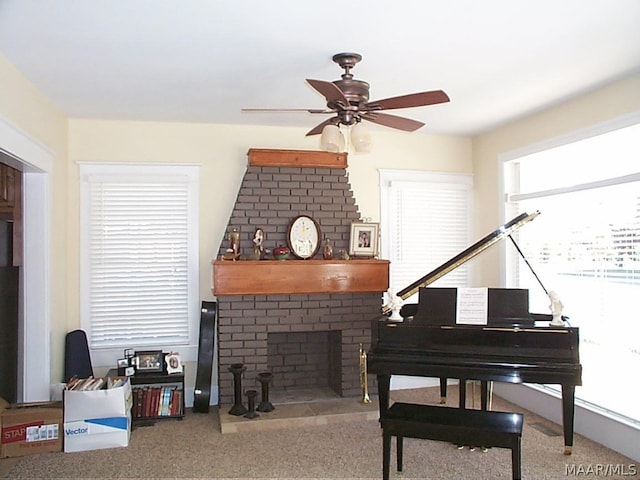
column 107, row 356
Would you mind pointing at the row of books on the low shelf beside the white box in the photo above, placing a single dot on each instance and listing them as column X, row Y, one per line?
column 157, row 401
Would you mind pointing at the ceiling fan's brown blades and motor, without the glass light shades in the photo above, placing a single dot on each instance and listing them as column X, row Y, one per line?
column 348, row 100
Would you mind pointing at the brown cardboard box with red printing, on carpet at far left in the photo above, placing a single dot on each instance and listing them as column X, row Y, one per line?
column 30, row 428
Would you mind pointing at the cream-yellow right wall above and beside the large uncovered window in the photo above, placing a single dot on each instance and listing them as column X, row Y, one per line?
column 615, row 100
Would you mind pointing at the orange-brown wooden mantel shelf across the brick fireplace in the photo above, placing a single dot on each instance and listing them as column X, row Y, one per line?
column 273, row 277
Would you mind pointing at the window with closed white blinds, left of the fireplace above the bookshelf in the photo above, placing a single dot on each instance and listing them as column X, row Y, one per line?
column 139, row 257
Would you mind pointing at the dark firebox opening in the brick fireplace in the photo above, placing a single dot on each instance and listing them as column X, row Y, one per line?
column 305, row 364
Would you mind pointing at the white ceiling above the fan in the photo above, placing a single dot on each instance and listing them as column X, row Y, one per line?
column 204, row 60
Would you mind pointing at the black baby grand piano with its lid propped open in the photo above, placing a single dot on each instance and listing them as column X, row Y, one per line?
column 510, row 348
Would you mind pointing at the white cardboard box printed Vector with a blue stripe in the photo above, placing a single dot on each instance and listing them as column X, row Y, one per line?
column 97, row 419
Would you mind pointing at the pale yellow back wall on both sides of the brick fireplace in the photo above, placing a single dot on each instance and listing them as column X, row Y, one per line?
column 221, row 151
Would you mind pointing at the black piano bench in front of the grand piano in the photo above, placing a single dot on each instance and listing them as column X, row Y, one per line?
column 459, row 426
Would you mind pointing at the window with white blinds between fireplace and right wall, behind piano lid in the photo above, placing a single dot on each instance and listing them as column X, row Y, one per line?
column 425, row 221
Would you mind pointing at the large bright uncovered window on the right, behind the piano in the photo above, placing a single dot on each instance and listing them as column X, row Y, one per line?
column 585, row 245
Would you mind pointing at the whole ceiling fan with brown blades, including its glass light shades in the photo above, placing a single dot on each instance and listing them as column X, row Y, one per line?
column 348, row 100
